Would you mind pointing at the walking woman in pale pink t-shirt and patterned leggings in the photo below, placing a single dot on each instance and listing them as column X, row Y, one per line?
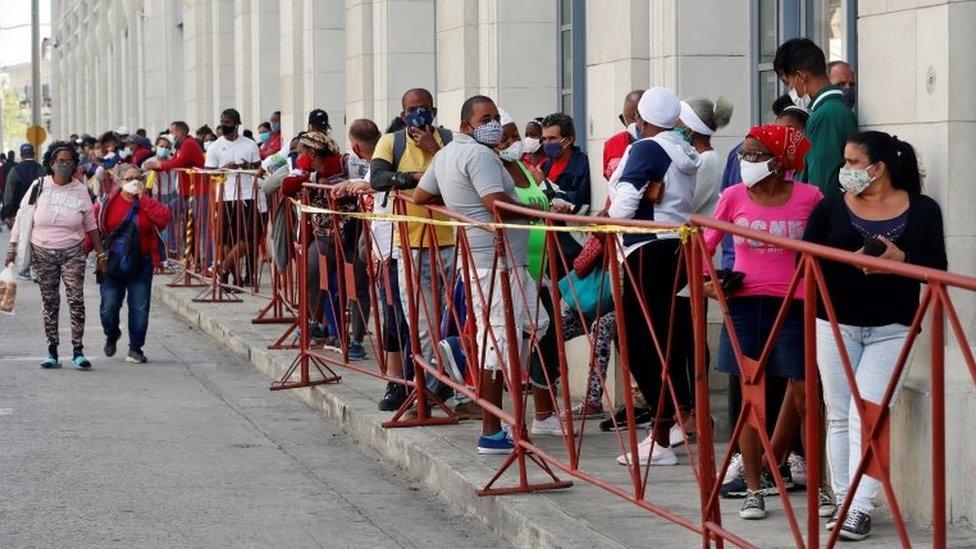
column 62, row 217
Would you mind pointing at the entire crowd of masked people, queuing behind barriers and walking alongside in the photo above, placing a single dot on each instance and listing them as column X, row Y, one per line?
column 809, row 175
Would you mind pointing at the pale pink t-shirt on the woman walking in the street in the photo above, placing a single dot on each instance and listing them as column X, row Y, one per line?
column 62, row 217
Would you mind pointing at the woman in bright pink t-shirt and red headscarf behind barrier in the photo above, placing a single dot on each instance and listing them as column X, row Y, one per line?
column 770, row 202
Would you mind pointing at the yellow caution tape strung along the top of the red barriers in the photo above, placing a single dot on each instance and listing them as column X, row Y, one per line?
column 684, row 231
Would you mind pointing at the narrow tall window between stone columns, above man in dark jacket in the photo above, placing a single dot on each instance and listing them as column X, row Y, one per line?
column 572, row 64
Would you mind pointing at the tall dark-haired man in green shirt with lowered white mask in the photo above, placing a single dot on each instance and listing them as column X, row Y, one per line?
column 801, row 66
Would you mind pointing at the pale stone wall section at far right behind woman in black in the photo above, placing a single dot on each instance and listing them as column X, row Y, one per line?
column 923, row 98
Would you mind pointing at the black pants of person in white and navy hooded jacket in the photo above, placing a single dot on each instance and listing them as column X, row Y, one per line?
column 654, row 267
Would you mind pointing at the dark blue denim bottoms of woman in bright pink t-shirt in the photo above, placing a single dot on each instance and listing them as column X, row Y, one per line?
column 753, row 318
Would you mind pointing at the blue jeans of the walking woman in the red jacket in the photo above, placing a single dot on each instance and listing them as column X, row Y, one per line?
column 139, row 288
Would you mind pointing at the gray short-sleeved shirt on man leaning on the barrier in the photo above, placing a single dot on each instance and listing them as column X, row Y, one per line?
column 464, row 172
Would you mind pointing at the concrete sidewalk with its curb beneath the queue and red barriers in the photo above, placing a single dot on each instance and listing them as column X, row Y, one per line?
column 445, row 461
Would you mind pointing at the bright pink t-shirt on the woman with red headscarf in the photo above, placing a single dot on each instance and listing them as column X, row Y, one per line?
column 768, row 269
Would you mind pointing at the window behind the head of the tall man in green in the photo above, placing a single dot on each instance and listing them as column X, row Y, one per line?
column 832, row 24
